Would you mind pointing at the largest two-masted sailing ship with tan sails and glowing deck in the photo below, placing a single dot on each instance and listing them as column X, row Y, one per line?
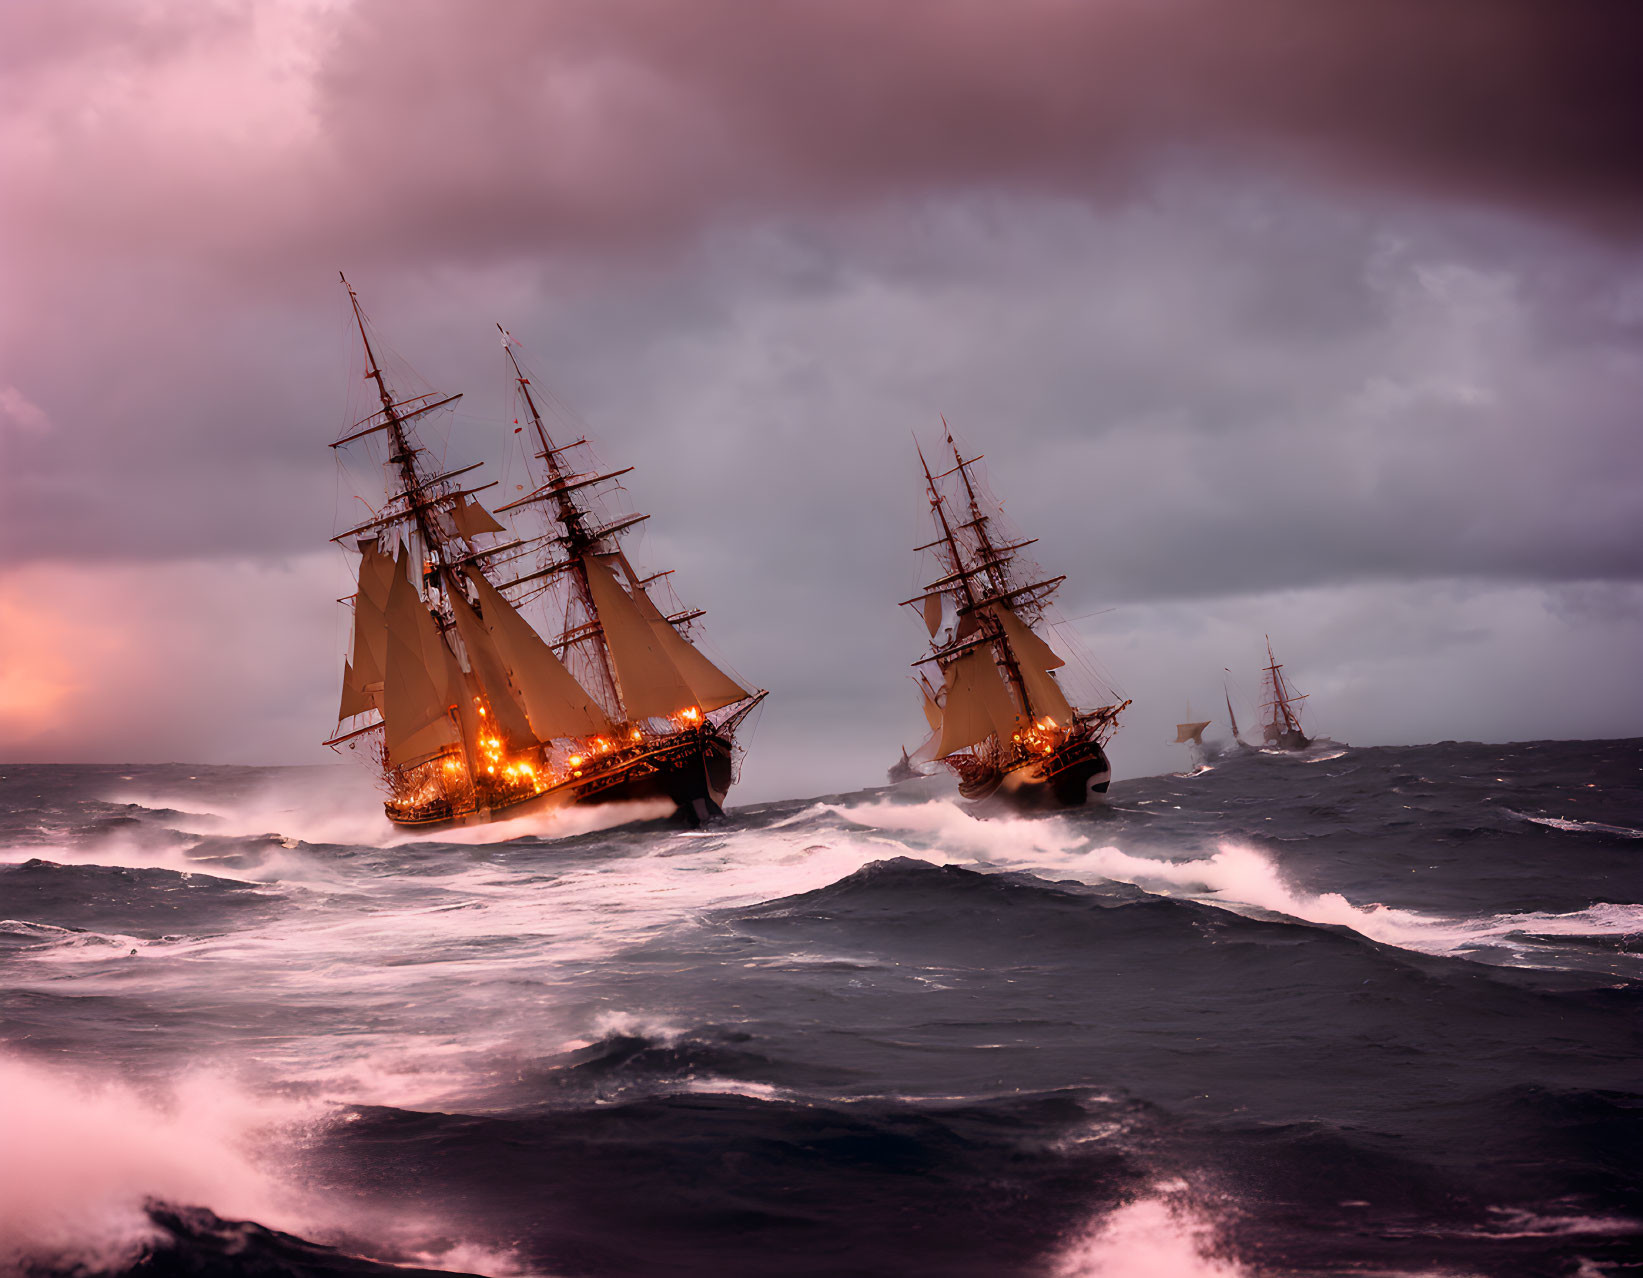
column 471, row 714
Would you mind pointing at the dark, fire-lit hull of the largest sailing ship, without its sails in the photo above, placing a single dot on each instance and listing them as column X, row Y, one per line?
column 696, row 775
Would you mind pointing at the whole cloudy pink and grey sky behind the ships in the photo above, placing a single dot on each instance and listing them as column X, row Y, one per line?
column 1271, row 316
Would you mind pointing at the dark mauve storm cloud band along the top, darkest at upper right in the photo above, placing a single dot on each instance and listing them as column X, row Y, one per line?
column 596, row 119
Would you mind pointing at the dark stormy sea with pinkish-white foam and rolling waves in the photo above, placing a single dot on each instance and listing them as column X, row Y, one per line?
column 1351, row 1011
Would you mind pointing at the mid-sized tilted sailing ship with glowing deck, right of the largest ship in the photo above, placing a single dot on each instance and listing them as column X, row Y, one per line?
column 1000, row 719
